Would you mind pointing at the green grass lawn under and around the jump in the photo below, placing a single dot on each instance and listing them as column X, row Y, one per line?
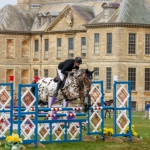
column 142, row 127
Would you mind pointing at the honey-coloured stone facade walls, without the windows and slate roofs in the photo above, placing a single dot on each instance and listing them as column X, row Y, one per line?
column 18, row 56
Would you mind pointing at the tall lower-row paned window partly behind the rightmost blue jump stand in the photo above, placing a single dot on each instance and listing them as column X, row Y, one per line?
column 132, row 77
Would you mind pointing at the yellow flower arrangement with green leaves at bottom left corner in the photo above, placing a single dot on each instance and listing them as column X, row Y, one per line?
column 13, row 142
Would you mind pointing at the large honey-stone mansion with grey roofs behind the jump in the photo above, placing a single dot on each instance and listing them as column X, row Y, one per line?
column 112, row 37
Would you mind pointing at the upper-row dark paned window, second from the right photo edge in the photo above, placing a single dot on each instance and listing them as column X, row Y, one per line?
column 132, row 43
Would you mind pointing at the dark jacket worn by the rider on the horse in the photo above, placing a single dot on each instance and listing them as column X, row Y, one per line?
column 67, row 66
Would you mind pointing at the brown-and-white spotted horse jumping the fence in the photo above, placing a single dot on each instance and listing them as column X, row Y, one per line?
column 75, row 87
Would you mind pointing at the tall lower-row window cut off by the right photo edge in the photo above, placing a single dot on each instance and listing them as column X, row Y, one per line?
column 147, row 79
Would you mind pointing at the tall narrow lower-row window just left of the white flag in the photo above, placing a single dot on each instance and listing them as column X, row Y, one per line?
column 108, row 78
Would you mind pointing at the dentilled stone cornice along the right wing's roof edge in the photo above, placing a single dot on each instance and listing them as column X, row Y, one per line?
column 117, row 24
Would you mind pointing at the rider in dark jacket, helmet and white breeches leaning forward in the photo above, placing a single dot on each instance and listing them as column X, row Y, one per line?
column 64, row 68
